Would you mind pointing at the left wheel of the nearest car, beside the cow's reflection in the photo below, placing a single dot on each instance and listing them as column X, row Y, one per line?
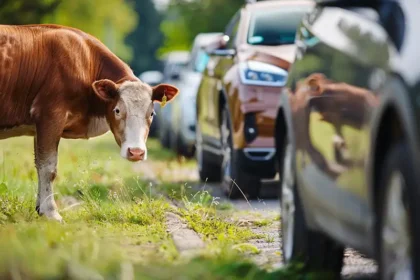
column 315, row 250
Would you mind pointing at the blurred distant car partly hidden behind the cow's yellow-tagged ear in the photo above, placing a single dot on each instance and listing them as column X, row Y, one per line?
column 174, row 63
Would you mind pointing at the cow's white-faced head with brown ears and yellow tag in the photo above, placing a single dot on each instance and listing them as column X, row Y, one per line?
column 130, row 112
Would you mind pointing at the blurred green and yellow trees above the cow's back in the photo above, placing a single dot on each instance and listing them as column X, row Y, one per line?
column 133, row 29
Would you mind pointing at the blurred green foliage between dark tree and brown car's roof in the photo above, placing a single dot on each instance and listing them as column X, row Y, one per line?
column 187, row 18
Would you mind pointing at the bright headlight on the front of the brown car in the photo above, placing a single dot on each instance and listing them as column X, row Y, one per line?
column 262, row 74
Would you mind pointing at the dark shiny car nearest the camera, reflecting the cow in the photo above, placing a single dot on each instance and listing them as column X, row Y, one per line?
column 348, row 137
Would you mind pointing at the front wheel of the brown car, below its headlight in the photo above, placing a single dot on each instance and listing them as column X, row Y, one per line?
column 236, row 182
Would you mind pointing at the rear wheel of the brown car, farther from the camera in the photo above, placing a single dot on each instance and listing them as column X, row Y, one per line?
column 208, row 171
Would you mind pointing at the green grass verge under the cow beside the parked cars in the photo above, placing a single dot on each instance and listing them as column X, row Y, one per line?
column 115, row 224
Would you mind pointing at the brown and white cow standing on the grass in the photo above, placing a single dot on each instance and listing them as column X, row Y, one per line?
column 59, row 82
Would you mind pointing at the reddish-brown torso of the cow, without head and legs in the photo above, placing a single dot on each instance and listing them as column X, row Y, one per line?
column 47, row 71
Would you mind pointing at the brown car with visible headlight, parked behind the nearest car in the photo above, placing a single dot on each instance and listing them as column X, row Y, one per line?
column 236, row 102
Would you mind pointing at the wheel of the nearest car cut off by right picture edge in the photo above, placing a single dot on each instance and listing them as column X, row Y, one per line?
column 398, row 217
